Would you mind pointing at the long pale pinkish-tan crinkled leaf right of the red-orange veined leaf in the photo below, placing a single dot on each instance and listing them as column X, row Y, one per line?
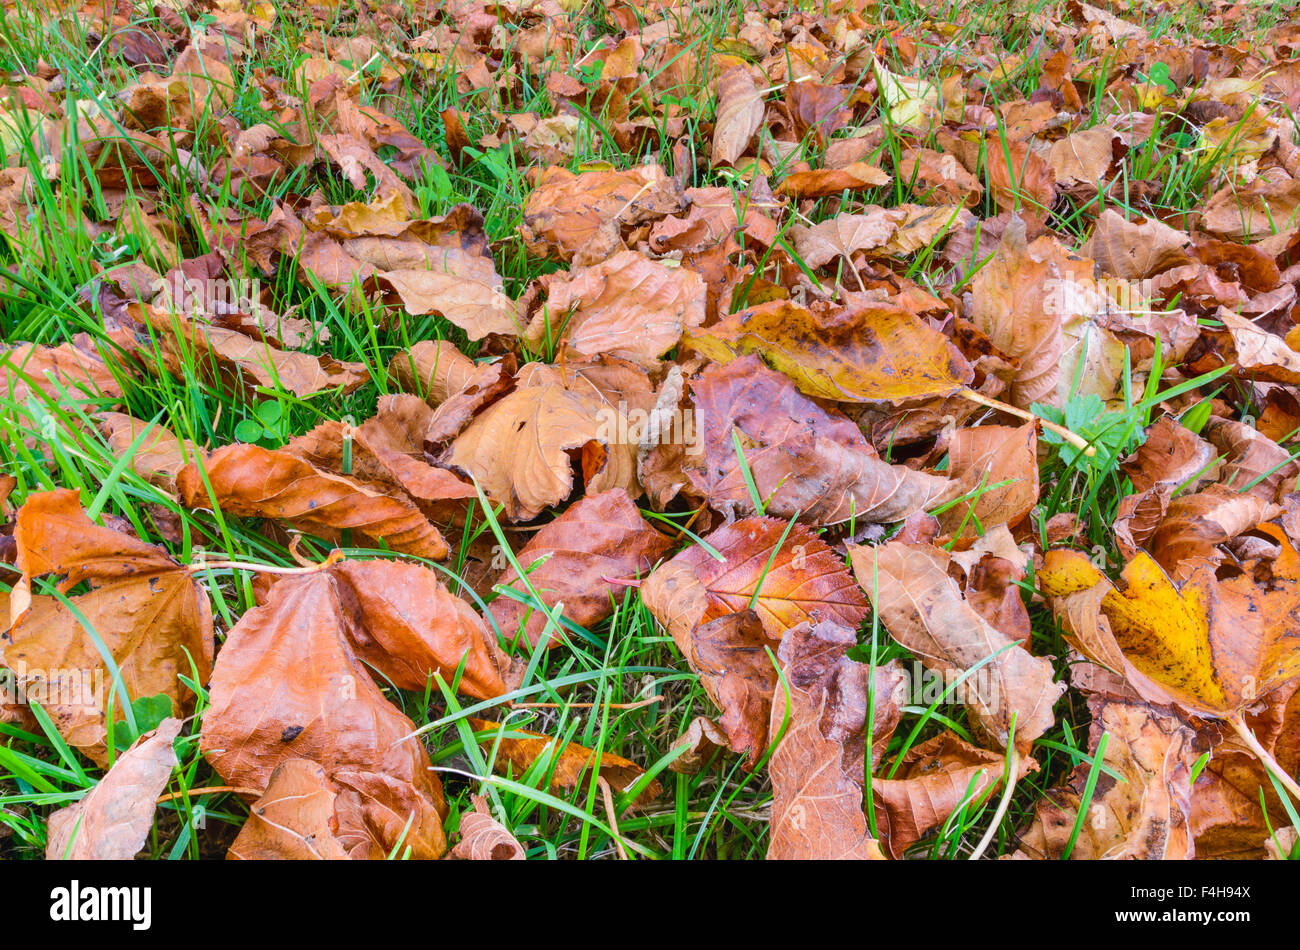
column 925, row 611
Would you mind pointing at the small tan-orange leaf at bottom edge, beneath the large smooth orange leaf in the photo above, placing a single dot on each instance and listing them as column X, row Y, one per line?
column 293, row 821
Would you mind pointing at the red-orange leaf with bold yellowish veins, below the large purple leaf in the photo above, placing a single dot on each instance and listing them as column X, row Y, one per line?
column 803, row 580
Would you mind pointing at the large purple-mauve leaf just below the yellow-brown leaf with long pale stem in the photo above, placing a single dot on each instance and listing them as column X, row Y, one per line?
column 803, row 459
